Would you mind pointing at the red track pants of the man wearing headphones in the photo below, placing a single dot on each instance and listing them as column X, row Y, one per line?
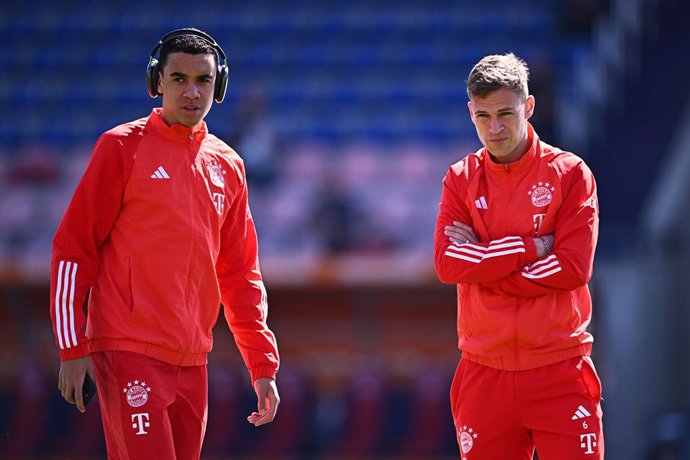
column 151, row 409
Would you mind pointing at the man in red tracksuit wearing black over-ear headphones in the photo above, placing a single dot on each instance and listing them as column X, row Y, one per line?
column 157, row 235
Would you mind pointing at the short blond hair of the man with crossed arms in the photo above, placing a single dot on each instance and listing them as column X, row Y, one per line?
column 498, row 71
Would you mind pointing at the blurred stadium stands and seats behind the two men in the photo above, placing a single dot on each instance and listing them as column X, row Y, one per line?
column 348, row 114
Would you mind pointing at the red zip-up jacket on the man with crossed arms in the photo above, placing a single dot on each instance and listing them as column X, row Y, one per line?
column 517, row 311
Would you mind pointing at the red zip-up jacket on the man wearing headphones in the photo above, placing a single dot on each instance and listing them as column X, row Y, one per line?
column 158, row 232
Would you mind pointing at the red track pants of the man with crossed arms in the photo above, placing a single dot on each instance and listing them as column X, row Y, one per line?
column 506, row 414
